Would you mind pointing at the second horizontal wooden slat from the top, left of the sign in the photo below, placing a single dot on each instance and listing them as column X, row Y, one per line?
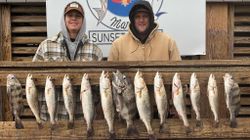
column 28, row 19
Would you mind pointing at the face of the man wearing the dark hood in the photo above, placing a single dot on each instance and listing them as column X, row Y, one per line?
column 141, row 22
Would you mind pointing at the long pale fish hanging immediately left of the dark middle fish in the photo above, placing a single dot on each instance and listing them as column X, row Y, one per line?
column 107, row 102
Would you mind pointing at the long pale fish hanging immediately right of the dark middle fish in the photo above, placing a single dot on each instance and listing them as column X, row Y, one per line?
column 143, row 102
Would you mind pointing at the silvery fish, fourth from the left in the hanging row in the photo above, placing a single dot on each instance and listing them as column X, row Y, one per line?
column 68, row 98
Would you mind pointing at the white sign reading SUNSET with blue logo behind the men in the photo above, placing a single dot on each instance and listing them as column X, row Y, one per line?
column 106, row 20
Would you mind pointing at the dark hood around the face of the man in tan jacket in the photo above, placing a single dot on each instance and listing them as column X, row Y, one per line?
column 137, row 7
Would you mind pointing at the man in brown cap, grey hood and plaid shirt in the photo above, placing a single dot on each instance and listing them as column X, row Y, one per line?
column 71, row 44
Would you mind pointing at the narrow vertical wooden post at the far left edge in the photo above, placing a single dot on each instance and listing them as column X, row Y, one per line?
column 6, row 33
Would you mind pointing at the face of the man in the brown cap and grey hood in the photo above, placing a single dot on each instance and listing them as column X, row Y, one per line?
column 73, row 21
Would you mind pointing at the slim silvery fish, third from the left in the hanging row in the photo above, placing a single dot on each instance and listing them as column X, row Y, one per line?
column 50, row 97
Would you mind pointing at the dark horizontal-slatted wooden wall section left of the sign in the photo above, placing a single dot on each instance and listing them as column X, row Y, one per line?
column 28, row 29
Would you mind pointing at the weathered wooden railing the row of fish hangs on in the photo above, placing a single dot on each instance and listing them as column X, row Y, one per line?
column 239, row 69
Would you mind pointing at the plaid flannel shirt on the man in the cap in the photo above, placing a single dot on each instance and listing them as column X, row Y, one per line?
column 55, row 49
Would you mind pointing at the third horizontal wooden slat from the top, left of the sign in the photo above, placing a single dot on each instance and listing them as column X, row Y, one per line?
column 29, row 29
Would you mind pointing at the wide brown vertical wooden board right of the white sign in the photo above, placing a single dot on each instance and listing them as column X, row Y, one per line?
column 218, row 45
